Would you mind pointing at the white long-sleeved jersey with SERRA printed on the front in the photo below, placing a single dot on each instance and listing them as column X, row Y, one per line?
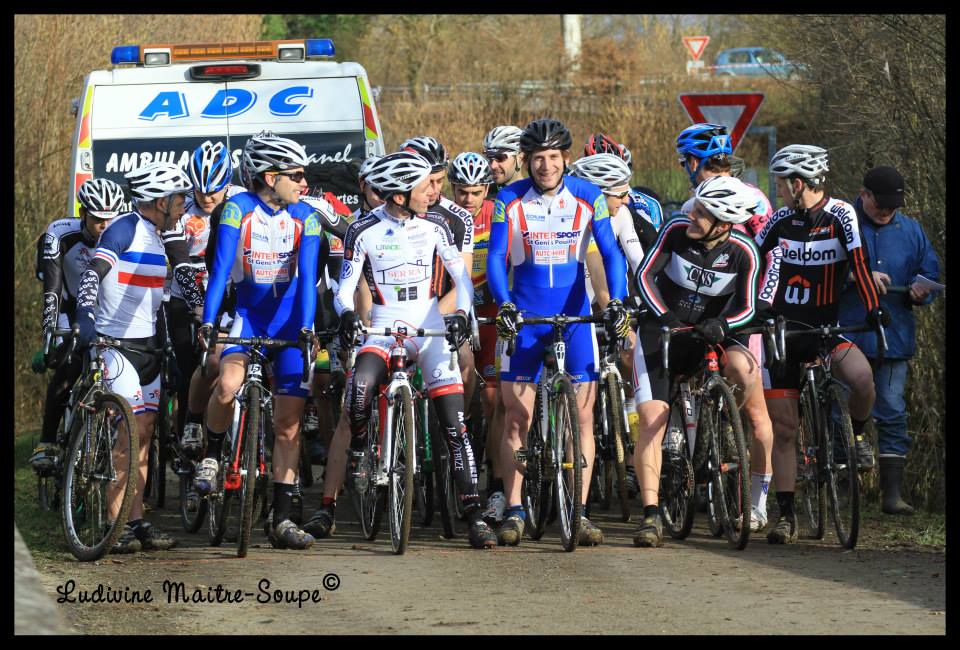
column 403, row 262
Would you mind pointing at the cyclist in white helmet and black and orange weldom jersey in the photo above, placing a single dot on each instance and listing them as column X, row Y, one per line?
column 818, row 238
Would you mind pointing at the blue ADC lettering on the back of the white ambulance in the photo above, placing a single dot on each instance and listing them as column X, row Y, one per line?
column 226, row 103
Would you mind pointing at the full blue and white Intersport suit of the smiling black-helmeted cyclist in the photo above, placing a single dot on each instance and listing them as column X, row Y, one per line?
column 545, row 239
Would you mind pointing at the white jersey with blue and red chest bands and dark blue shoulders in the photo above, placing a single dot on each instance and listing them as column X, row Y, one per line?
column 132, row 290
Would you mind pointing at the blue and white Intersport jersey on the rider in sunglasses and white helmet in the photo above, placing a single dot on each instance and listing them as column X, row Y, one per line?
column 274, row 270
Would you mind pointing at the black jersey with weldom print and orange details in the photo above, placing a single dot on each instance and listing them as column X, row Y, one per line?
column 817, row 248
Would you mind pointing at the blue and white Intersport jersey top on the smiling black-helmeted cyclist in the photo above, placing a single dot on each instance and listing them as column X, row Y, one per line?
column 545, row 240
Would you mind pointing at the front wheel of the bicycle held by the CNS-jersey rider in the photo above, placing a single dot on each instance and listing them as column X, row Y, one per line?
column 729, row 464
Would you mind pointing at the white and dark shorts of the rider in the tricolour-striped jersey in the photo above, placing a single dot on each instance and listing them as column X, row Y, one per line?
column 135, row 376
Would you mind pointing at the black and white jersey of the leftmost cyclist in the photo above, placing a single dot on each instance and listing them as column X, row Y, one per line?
column 66, row 250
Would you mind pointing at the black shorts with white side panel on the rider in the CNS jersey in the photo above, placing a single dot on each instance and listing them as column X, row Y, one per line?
column 650, row 382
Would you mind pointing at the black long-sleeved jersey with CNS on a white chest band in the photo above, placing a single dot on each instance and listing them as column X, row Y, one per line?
column 682, row 280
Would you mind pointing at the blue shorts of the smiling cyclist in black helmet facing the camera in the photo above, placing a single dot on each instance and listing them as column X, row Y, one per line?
column 526, row 362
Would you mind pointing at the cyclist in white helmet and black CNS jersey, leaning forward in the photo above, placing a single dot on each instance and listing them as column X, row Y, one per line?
column 700, row 272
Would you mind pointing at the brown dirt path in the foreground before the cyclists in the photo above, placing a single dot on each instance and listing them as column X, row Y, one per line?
column 694, row 586
